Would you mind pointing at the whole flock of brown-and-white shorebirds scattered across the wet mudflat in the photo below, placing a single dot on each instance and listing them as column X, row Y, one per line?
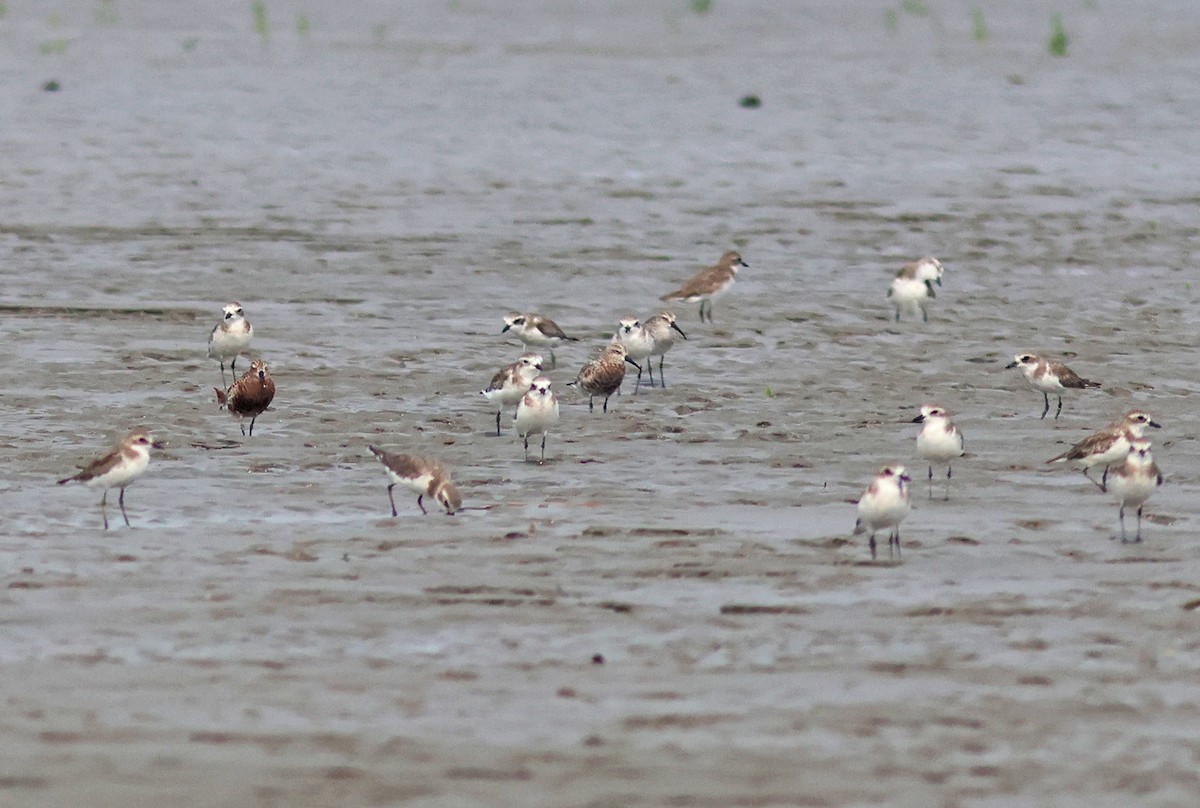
column 1120, row 452
